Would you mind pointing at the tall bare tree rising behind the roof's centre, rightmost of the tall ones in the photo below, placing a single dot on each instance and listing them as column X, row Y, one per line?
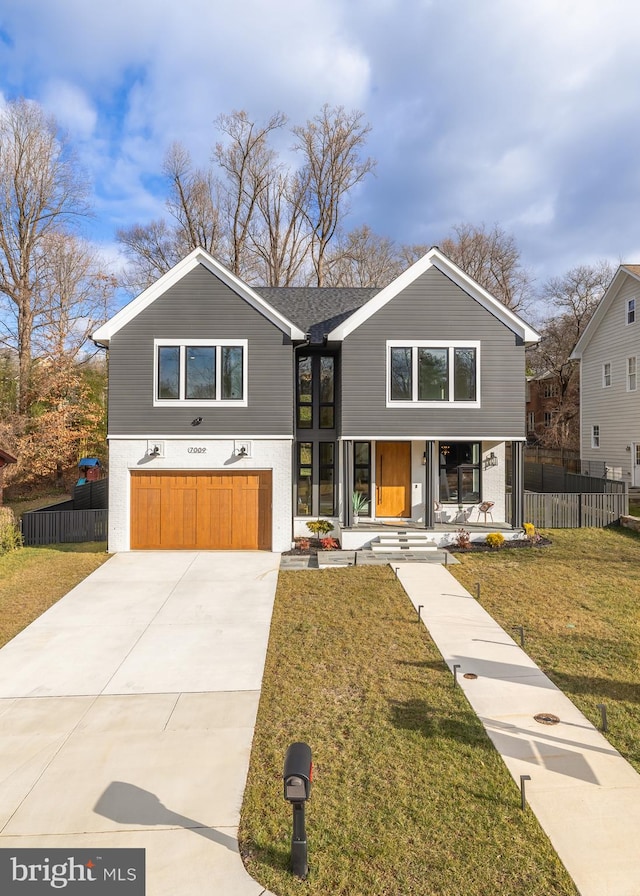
column 330, row 145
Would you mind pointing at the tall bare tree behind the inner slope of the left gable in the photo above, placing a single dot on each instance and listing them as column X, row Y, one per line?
column 250, row 169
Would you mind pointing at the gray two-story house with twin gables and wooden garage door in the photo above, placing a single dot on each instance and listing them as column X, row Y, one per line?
column 238, row 414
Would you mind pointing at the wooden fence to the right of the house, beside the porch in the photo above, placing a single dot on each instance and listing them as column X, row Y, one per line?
column 562, row 510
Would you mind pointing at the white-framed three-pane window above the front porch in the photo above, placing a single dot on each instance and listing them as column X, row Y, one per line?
column 433, row 373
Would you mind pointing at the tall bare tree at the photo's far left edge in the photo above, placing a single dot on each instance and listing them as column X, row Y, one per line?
column 41, row 192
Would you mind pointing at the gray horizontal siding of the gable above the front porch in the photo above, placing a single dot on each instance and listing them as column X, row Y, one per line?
column 433, row 308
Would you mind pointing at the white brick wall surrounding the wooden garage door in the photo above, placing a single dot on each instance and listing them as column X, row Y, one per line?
column 132, row 454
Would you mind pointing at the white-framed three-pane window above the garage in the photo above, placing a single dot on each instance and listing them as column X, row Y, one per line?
column 200, row 372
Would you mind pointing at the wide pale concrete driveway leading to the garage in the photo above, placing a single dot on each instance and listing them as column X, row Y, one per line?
column 127, row 713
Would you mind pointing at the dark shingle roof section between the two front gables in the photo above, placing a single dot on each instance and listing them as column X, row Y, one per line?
column 316, row 310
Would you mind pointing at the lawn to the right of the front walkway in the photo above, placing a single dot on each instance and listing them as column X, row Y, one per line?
column 578, row 602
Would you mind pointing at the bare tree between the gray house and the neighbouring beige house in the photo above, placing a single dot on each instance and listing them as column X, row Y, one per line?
column 571, row 300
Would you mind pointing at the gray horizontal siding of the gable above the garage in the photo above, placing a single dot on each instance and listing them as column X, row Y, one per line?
column 200, row 307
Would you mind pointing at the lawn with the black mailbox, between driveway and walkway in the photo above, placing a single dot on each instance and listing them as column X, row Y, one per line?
column 409, row 796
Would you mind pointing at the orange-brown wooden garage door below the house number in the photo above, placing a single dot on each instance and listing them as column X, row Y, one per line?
column 215, row 510
